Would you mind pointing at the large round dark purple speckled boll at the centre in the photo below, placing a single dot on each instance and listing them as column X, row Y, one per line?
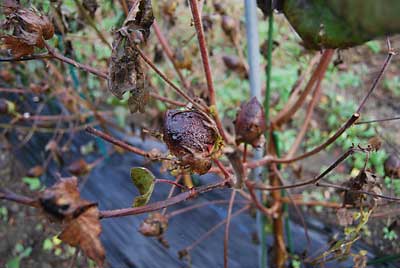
column 193, row 138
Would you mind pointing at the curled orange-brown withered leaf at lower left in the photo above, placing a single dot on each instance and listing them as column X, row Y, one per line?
column 80, row 218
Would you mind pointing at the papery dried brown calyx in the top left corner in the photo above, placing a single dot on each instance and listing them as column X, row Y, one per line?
column 28, row 29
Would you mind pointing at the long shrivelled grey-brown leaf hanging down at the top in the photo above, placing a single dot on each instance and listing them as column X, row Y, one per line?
column 126, row 70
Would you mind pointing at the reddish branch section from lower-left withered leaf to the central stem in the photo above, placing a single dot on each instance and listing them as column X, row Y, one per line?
column 161, row 204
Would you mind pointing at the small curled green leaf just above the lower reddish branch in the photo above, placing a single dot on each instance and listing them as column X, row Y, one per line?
column 144, row 182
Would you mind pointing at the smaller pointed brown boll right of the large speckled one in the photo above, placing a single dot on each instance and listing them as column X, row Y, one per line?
column 250, row 123
